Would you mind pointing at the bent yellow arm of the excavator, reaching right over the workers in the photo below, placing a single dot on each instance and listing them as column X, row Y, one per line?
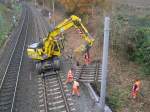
column 73, row 21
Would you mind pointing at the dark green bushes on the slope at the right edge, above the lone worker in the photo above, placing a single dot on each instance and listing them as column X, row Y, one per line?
column 140, row 42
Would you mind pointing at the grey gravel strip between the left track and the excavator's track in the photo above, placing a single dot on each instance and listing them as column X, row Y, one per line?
column 26, row 96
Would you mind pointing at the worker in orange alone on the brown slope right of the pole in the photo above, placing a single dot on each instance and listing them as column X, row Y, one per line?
column 136, row 88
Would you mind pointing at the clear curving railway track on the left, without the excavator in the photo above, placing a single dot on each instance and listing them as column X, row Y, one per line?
column 8, row 85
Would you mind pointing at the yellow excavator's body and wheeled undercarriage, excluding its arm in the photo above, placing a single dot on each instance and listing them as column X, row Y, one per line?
column 36, row 51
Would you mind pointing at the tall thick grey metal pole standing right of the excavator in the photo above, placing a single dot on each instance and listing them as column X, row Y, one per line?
column 104, row 64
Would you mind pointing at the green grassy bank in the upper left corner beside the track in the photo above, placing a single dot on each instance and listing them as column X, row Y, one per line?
column 6, row 20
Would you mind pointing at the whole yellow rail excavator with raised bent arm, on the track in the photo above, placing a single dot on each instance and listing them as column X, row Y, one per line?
column 47, row 53
